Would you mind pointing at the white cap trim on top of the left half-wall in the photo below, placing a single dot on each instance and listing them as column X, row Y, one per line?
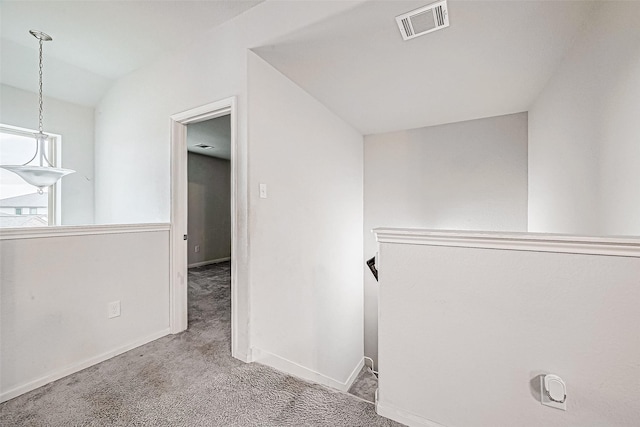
column 79, row 230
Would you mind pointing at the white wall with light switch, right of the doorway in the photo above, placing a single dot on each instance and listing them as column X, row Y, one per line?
column 306, row 253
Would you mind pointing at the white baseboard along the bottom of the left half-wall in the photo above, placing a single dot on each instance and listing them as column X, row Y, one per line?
column 56, row 375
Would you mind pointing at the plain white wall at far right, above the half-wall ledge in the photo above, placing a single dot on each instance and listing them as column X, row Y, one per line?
column 583, row 132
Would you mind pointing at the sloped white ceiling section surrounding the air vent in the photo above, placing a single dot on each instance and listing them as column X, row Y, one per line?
column 494, row 59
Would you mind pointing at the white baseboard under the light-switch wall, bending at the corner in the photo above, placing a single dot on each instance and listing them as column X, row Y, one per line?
column 292, row 368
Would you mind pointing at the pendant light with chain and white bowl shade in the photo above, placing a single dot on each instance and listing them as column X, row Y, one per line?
column 44, row 175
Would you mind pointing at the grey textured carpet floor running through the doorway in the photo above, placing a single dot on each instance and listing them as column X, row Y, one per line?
column 188, row 379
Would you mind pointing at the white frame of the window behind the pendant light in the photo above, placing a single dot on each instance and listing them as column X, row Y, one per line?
column 54, row 154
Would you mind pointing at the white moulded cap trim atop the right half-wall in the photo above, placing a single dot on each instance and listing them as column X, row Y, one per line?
column 535, row 242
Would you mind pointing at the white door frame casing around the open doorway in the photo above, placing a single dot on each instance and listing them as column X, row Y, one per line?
column 179, row 224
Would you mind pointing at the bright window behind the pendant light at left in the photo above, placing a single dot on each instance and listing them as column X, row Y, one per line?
column 20, row 203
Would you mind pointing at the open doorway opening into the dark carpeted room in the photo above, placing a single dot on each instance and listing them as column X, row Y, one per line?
column 209, row 228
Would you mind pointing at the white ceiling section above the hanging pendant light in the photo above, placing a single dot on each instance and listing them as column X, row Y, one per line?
column 97, row 42
